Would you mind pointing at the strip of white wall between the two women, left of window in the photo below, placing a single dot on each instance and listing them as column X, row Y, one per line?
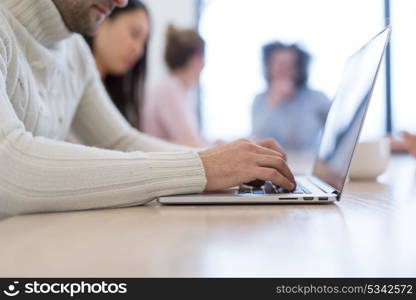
column 182, row 13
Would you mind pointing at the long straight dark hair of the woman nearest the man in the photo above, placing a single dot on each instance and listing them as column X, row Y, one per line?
column 127, row 90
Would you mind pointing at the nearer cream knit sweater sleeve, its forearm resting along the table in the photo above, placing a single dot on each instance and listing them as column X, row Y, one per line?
column 43, row 175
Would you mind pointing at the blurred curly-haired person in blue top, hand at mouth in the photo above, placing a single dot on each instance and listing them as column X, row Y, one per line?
column 288, row 110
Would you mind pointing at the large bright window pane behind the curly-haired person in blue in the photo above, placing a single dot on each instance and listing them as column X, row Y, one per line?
column 235, row 31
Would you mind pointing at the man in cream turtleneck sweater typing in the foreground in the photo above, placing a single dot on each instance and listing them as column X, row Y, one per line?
column 49, row 85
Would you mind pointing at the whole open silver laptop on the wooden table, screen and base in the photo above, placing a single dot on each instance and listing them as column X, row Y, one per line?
column 339, row 138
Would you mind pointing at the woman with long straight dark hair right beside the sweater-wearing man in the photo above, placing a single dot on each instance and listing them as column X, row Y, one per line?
column 120, row 52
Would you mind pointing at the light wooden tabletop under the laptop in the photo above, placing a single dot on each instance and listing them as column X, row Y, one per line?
column 371, row 232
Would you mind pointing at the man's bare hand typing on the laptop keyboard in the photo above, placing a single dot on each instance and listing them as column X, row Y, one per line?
column 242, row 161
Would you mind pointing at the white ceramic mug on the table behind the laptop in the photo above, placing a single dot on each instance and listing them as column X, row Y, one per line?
column 370, row 159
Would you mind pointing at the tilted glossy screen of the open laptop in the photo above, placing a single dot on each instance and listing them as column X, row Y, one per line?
column 347, row 113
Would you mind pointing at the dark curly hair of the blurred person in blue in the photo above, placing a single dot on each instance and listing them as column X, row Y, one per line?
column 302, row 65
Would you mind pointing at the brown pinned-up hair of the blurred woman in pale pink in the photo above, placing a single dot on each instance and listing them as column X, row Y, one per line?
column 181, row 46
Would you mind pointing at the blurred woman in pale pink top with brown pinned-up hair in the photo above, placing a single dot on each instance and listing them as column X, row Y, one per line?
column 169, row 111
